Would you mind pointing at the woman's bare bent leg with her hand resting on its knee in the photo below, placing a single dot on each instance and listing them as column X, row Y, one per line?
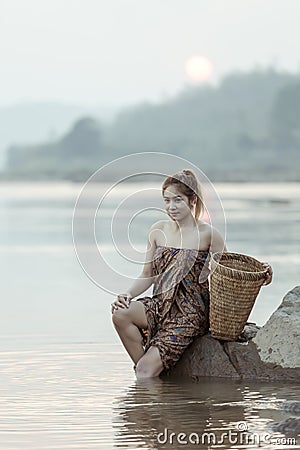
column 127, row 322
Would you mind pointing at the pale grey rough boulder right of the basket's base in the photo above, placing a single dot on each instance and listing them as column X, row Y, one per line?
column 278, row 341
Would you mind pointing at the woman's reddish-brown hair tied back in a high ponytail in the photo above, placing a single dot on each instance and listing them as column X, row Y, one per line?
column 187, row 182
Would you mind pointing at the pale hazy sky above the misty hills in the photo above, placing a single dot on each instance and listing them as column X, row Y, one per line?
column 123, row 51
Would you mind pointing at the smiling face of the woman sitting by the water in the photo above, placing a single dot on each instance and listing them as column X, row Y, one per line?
column 176, row 203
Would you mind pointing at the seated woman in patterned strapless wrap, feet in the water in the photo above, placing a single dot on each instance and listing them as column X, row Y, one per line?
column 156, row 330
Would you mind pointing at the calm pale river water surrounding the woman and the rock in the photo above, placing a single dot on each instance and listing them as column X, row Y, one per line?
column 67, row 383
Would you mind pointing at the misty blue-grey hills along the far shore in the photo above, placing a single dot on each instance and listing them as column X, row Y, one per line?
column 246, row 129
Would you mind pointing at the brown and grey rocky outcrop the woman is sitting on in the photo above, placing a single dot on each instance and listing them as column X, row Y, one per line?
column 241, row 359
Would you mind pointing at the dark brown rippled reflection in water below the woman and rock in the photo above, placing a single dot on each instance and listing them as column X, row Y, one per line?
column 211, row 414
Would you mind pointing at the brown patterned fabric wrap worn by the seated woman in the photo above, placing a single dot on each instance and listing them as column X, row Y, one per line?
column 178, row 310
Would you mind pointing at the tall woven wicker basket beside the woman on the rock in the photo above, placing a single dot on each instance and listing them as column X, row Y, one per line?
column 235, row 282
